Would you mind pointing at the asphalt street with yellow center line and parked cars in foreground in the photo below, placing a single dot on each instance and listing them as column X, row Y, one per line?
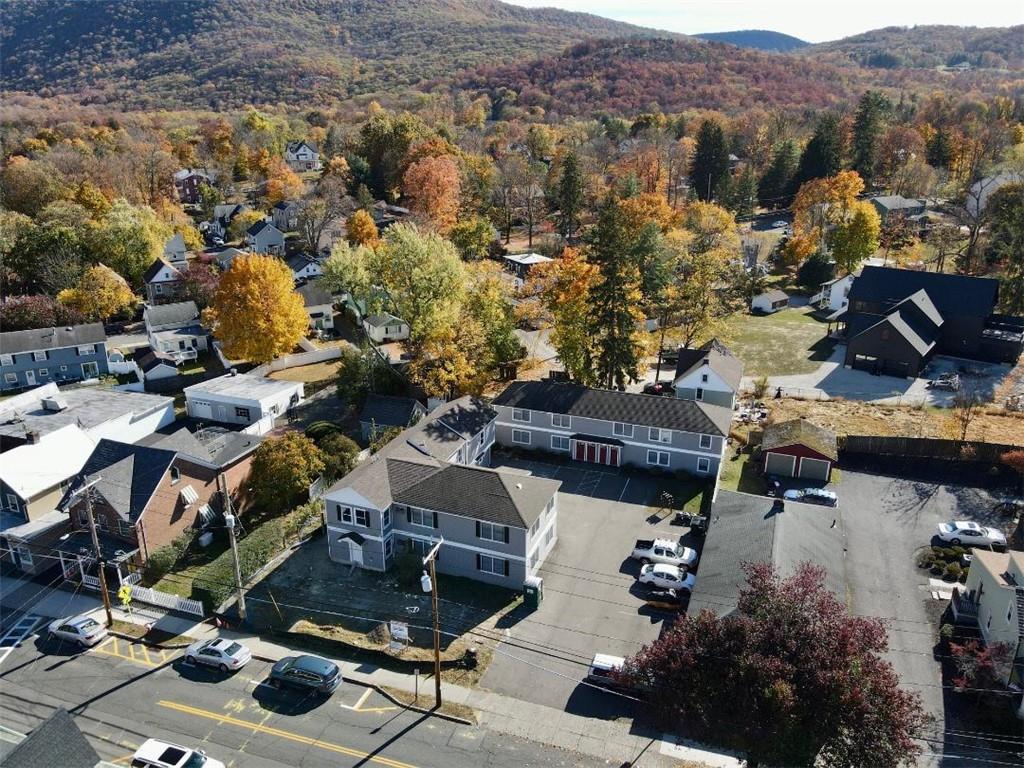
column 122, row 694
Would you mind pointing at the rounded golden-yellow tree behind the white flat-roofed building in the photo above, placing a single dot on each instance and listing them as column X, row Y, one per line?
column 257, row 312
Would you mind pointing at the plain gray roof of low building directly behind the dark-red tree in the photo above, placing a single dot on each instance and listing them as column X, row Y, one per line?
column 745, row 529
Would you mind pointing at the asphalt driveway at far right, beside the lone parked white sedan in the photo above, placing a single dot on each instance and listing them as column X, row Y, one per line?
column 888, row 522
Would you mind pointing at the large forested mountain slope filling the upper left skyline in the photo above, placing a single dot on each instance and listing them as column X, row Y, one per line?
column 226, row 54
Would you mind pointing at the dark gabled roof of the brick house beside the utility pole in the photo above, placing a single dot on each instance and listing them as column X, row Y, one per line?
column 129, row 477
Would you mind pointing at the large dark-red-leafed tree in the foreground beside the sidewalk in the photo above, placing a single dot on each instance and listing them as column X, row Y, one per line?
column 790, row 678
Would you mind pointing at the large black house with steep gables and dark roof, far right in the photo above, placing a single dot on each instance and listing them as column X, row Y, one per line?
column 898, row 320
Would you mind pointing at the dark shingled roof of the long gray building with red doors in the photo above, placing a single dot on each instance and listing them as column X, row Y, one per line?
column 607, row 405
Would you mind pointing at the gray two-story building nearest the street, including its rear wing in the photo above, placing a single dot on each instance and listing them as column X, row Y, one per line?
column 431, row 484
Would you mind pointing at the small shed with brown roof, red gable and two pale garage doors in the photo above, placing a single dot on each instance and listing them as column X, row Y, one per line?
column 799, row 449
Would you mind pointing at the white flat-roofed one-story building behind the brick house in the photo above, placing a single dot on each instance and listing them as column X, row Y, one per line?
column 243, row 399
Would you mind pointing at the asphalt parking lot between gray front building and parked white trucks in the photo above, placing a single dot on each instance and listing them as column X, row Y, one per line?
column 588, row 606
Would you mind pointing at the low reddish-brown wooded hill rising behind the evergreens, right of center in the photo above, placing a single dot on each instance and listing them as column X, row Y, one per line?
column 634, row 75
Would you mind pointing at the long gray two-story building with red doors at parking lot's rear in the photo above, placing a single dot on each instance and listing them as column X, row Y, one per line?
column 602, row 426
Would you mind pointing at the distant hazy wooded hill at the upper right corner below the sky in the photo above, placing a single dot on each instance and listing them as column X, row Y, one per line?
column 894, row 48
